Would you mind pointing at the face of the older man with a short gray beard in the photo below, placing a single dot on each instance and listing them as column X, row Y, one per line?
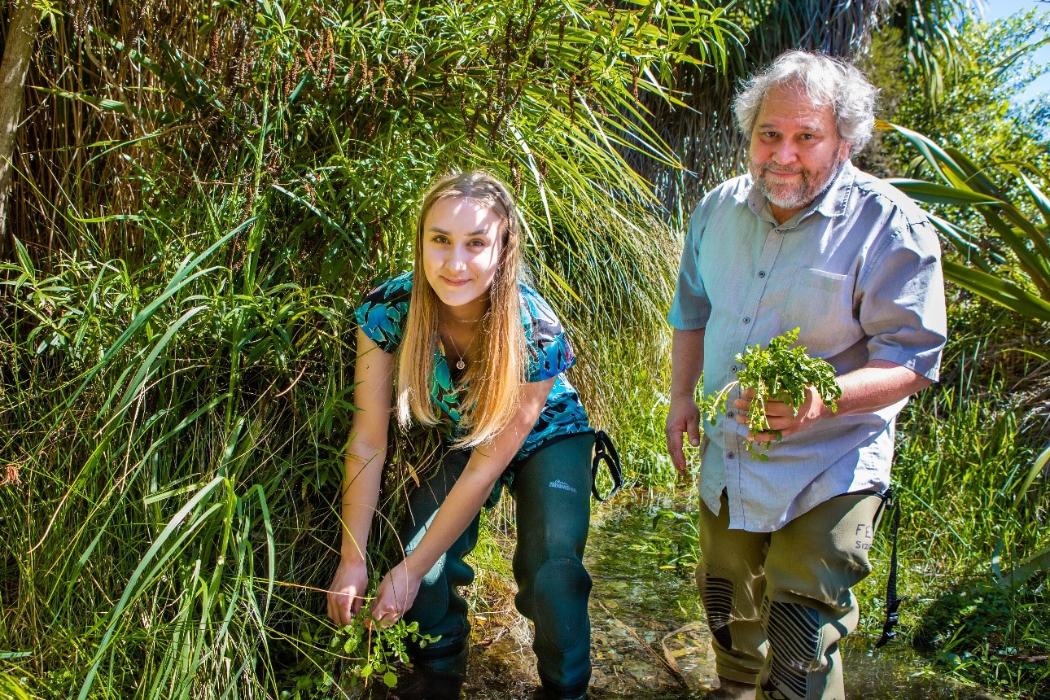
column 795, row 151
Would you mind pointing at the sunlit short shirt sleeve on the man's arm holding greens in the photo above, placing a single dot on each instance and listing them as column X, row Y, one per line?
column 902, row 308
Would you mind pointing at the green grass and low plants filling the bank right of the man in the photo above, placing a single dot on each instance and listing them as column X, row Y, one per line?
column 972, row 516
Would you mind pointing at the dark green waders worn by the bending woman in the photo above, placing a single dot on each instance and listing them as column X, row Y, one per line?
column 552, row 491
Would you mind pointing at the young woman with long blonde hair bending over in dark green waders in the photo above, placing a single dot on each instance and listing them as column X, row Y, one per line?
column 471, row 351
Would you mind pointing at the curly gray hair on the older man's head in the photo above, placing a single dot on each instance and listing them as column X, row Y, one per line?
column 825, row 81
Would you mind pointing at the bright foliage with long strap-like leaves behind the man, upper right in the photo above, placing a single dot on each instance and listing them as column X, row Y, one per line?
column 986, row 177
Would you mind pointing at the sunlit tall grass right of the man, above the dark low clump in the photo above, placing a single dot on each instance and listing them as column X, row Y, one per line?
column 972, row 440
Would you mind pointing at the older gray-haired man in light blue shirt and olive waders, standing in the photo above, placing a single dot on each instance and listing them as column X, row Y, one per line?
column 805, row 240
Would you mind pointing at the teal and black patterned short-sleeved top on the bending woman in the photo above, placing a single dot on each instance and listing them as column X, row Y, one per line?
column 383, row 315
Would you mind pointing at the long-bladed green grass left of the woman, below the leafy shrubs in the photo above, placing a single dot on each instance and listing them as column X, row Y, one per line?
column 171, row 440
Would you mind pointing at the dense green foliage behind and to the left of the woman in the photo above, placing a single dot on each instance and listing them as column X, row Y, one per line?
column 178, row 372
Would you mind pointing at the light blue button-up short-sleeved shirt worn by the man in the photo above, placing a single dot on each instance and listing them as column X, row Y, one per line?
column 859, row 272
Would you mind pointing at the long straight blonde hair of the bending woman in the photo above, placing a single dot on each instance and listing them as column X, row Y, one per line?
column 490, row 389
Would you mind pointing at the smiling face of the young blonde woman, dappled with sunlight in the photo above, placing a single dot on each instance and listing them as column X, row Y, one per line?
column 461, row 252
